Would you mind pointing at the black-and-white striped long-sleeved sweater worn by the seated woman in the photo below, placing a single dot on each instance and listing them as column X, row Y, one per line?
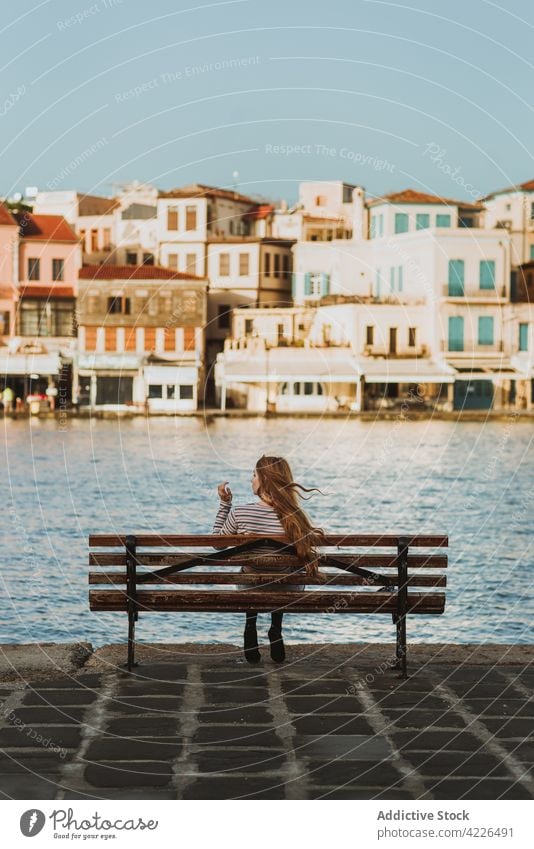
column 254, row 518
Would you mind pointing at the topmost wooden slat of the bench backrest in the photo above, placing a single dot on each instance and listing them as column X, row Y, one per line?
column 110, row 540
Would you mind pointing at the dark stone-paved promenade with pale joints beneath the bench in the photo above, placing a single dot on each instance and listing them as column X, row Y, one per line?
column 332, row 723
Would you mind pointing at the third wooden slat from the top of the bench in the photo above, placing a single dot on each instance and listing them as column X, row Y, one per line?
column 339, row 579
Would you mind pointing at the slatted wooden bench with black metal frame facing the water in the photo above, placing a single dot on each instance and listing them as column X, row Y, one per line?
column 163, row 574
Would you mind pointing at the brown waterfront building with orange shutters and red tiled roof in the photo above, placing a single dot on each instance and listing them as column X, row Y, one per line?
column 141, row 339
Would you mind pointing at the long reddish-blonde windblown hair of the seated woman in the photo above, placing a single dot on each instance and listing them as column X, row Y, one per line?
column 277, row 484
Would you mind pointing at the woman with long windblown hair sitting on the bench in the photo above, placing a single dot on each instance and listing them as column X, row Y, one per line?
column 276, row 512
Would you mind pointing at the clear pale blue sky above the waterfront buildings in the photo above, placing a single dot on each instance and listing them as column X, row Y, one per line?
column 433, row 95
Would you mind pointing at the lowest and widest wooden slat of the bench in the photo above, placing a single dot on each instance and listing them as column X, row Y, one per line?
column 308, row 602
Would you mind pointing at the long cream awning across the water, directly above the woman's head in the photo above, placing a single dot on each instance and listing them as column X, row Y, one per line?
column 327, row 365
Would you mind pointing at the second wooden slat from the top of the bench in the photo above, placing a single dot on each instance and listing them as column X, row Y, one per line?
column 384, row 561
